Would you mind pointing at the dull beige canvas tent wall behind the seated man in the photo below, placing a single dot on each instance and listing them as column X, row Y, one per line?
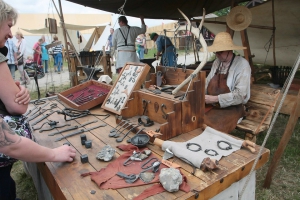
column 287, row 23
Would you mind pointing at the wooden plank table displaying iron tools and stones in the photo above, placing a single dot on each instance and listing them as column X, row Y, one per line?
column 65, row 182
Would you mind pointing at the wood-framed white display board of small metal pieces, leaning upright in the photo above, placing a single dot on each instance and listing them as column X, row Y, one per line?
column 130, row 79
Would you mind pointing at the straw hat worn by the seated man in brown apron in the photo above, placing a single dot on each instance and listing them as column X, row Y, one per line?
column 223, row 42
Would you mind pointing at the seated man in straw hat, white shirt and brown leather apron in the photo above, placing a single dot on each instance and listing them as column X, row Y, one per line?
column 227, row 85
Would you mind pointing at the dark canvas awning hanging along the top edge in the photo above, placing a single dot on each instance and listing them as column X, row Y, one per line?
column 159, row 9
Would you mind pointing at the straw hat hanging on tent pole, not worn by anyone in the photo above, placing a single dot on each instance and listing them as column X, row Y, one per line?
column 239, row 18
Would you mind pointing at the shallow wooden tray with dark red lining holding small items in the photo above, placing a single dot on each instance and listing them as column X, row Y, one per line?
column 90, row 88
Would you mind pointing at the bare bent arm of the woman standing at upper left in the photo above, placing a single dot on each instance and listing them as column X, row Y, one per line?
column 8, row 92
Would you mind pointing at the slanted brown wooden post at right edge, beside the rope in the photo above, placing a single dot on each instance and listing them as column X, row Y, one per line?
column 283, row 142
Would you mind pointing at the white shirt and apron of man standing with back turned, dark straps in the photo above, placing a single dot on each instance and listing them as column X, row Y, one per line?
column 126, row 53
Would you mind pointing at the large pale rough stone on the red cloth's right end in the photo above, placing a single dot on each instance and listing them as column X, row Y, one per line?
column 170, row 178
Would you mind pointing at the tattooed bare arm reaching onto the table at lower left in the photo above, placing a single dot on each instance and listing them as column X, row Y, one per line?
column 24, row 149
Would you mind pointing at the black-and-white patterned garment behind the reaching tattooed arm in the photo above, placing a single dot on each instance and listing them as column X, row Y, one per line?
column 21, row 127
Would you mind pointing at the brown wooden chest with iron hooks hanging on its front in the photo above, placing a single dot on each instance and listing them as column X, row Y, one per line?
column 171, row 116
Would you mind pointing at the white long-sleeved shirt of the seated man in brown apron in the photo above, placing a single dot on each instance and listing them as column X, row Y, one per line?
column 238, row 82
